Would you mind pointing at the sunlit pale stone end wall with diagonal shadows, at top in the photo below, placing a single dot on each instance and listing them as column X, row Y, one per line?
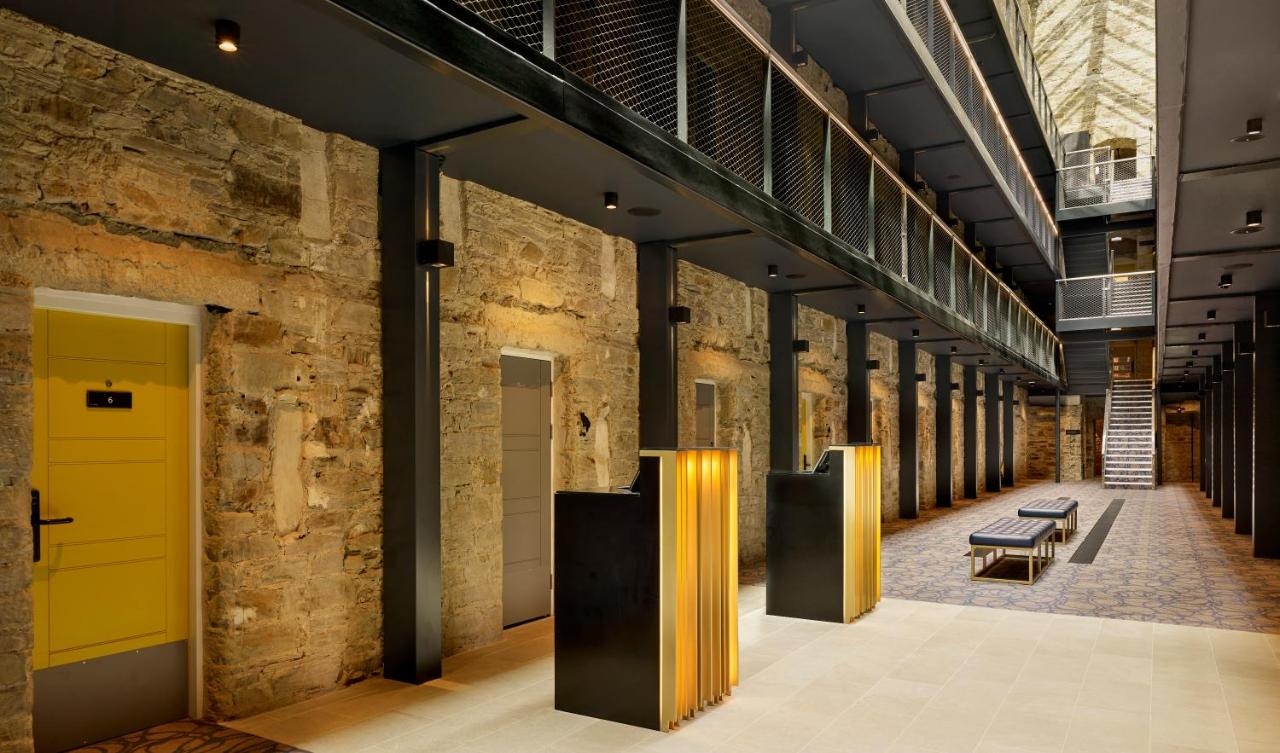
column 1099, row 63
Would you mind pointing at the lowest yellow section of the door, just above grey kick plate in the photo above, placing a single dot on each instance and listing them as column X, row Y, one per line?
column 94, row 606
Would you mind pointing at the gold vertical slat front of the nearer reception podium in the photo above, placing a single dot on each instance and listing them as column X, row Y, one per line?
column 700, row 579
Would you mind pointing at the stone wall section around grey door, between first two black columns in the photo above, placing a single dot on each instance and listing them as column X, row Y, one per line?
column 525, row 279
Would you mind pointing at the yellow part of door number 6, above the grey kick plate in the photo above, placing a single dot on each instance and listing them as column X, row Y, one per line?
column 111, row 468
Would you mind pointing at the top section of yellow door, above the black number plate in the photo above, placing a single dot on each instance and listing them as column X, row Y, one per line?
column 85, row 336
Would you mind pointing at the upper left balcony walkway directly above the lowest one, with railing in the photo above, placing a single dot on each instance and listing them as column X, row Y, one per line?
column 909, row 63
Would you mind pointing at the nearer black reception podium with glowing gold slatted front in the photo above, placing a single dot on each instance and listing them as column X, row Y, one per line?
column 647, row 591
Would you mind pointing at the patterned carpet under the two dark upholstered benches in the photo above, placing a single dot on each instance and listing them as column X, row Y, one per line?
column 1171, row 558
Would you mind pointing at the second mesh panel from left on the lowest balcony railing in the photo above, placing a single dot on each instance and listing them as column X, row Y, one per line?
column 625, row 49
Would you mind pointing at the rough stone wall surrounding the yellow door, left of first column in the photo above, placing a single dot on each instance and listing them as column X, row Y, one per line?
column 124, row 179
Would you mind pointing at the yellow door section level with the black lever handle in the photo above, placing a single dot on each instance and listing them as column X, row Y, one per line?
column 108, row 501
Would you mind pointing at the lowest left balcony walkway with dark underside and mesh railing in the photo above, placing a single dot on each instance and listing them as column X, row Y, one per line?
column 712, row 144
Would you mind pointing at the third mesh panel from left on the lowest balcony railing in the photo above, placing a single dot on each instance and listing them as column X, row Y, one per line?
column 726, row 93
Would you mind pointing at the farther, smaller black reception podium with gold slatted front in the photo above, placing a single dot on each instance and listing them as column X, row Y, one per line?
column 824, row 537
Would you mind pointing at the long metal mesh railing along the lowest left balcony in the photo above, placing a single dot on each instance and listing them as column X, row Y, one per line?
column 785, row 142
